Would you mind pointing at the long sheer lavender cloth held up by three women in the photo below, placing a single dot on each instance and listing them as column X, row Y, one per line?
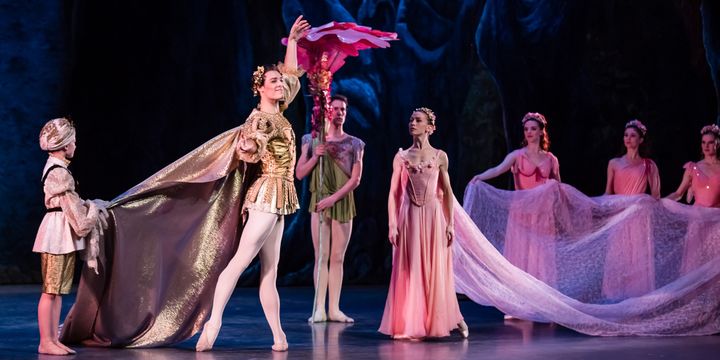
column 680, row 305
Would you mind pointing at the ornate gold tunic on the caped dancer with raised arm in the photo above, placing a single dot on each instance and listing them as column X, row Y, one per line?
column 274, row 190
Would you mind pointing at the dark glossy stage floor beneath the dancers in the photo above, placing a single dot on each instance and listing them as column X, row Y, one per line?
column 246, row 335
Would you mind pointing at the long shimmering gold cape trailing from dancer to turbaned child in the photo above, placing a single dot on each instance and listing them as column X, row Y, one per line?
column 170, row 238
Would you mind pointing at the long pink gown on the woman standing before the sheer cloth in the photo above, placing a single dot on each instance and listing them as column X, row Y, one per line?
column 421, row 299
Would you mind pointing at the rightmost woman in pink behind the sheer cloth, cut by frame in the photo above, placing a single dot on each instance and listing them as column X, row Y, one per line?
column 702, row 183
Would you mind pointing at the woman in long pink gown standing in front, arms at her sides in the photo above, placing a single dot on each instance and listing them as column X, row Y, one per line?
column 421, row 299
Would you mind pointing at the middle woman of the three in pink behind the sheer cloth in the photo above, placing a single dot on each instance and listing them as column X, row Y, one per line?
column 629, row 268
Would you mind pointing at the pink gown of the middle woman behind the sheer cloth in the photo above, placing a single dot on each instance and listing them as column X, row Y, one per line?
column 630, row 264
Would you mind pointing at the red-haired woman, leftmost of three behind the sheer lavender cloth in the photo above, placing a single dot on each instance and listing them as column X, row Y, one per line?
column 532, row 165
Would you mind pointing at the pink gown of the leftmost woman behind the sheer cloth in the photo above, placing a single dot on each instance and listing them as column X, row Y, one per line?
column 534, row 254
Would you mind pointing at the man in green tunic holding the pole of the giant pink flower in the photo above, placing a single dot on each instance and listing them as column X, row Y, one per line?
column 332, row 198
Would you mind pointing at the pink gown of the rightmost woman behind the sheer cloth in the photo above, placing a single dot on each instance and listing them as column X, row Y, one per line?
column 706, row 191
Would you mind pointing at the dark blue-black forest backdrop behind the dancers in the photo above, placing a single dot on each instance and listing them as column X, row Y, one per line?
column 148, row 81
